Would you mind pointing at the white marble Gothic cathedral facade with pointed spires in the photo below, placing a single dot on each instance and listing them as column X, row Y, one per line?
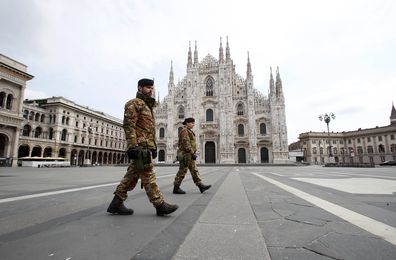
column 234, row 122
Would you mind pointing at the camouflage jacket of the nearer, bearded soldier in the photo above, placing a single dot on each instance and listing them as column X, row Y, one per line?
column 139, row 123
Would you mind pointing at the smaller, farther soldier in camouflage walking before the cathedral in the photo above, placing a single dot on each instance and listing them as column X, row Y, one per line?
column 187, row 156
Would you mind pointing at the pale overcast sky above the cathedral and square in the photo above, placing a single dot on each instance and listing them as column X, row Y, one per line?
column 334, row 56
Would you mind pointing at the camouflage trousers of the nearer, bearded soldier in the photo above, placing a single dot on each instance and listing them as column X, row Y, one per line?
column 147, row 176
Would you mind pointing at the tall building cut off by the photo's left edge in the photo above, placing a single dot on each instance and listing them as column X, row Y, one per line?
column 13, row 78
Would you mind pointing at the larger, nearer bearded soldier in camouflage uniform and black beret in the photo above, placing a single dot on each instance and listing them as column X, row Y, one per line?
column 139, row 130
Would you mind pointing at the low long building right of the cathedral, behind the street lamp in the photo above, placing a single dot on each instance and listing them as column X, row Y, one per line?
column 372, row 145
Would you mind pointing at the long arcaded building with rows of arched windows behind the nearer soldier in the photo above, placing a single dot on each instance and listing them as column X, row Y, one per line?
column 57, row 127
